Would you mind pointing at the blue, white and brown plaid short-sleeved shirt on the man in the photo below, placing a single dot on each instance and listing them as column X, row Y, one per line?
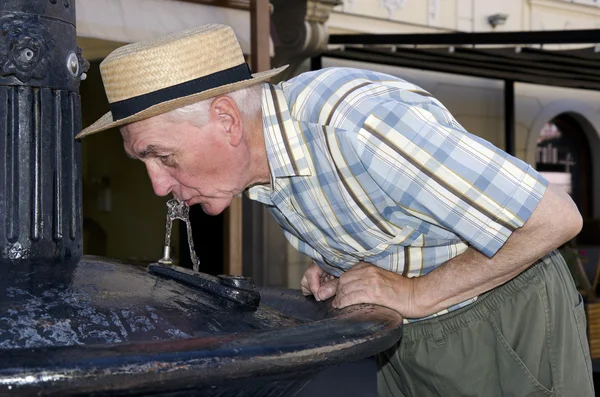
column 368, row 167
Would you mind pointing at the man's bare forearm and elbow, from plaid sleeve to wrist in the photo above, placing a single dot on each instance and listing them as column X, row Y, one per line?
column 555, row 221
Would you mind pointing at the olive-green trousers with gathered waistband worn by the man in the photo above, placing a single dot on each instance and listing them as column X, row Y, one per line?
column 524, row 338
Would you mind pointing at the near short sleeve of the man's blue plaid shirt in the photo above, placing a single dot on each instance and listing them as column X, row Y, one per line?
column 427, row 163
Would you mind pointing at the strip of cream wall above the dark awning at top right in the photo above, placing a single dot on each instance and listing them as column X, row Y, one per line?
column 402, row 16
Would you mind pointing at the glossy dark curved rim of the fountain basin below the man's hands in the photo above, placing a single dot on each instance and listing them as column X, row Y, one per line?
column 356, row 332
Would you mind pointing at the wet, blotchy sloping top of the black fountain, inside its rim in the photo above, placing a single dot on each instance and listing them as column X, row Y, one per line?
column 98, row 301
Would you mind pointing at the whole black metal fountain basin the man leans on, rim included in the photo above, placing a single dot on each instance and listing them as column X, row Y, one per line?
column 105, row 327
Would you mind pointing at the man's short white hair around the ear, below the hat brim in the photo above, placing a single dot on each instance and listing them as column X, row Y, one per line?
column 248, row 100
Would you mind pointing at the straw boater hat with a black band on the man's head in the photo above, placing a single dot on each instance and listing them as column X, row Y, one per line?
column 153, row 77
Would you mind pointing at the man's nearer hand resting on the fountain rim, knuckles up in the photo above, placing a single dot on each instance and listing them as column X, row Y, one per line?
column 366, row 283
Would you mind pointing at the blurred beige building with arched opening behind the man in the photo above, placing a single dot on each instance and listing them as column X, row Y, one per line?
column 555, row 129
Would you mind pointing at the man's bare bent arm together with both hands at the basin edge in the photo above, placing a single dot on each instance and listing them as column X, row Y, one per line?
column 554, row 221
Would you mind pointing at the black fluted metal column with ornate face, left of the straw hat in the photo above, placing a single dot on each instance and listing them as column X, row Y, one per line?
column 40, row 162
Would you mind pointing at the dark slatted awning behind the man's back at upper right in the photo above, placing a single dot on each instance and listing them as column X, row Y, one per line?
column 516, row 56
